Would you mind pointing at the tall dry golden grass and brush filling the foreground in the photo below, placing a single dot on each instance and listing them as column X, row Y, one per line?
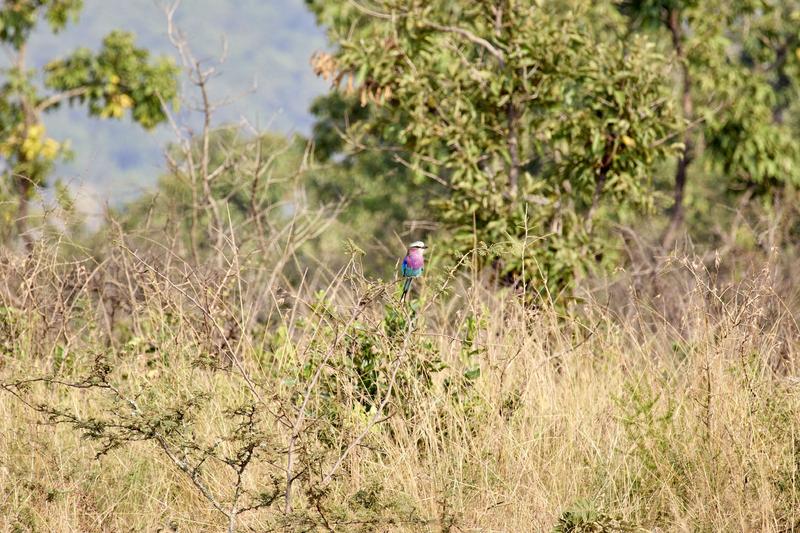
column 623, row 418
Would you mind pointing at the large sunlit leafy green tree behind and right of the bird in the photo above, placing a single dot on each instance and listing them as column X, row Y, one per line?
column 534, row 120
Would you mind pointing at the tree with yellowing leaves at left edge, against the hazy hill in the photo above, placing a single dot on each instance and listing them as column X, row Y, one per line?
column 118, row 78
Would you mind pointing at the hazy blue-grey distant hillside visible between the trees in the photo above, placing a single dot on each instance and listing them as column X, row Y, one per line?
column 268, row 41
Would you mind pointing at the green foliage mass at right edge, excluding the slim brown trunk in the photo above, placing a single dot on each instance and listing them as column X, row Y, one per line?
column 752, row 139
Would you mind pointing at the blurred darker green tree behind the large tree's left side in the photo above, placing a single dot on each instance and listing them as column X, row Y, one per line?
column 384, row 200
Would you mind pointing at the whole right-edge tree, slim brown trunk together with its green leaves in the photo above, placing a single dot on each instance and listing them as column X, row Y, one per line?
column 738, row 66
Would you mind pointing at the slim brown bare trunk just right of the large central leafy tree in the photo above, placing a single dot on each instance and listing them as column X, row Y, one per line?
column 687, row 107
